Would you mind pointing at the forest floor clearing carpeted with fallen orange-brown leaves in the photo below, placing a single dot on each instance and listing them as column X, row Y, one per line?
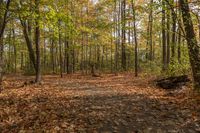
column 75, row 103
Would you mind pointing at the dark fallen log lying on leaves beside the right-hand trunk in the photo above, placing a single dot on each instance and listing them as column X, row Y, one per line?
column 173, row 82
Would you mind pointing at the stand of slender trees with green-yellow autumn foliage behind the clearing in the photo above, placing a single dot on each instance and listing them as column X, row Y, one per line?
column 105, row 36
